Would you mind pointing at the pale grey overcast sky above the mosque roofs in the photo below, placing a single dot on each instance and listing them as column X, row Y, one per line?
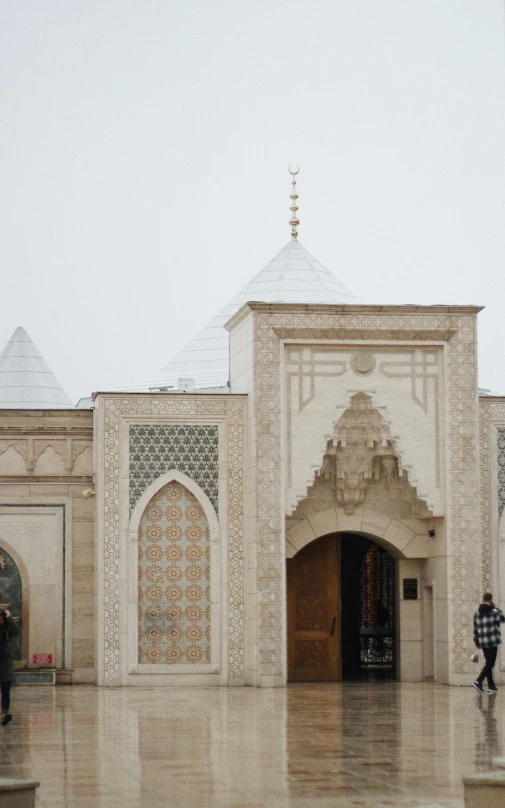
column 144, row 150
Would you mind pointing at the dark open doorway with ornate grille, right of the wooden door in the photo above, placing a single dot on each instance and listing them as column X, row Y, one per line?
column 368, row 610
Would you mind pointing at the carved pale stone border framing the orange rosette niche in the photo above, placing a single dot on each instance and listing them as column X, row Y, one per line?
column 113, row 414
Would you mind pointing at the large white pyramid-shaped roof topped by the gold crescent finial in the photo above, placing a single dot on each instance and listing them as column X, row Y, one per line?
column 293, row 276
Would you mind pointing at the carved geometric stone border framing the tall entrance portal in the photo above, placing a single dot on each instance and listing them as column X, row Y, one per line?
column 461, row 444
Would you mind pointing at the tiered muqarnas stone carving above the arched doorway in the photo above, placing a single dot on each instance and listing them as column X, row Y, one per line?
column 361, row 450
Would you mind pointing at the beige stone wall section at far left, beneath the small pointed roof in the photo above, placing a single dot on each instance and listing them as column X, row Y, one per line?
column 47, row 527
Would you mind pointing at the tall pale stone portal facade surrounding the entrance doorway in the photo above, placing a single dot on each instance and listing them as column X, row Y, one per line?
column 301, row 365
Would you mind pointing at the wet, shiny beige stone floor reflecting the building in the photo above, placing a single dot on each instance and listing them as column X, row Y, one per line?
column 308, row 746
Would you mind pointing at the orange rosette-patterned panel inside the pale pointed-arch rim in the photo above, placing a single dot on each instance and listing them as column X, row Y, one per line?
column 174, row 579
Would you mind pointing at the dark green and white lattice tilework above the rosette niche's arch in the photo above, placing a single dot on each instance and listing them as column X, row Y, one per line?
column 190, row 449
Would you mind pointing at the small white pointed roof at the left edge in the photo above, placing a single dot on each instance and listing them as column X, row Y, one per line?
column 26, row 380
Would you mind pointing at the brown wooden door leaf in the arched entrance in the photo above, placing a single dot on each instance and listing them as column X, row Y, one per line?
column 314, row 608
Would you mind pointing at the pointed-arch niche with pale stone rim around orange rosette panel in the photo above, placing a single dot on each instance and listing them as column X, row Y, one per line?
column 174, row 540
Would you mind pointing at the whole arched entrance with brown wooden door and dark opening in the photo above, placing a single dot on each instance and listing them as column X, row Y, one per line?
column 341, row 609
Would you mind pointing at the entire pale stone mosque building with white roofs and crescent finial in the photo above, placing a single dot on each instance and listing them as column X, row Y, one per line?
column 312, row 490
